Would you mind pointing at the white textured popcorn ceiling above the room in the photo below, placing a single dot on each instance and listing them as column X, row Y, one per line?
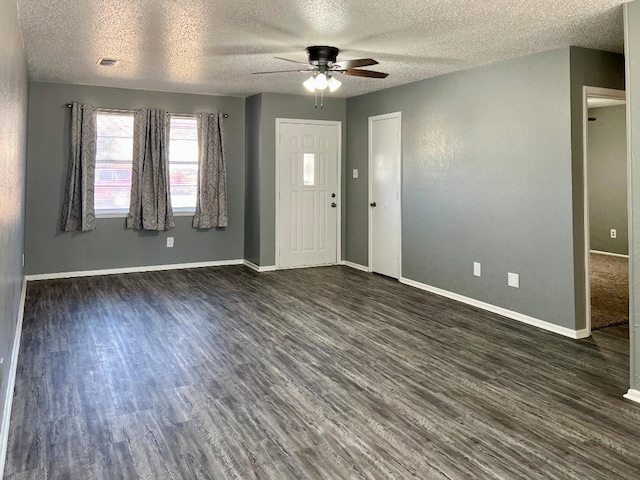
column 212, row 46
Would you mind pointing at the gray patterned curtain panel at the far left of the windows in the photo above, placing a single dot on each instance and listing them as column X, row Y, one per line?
column 77, row 207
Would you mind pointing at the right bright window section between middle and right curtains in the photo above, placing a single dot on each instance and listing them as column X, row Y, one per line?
column 183, row 163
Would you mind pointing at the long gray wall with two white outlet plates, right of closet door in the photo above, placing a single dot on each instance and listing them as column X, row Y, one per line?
column 486, row 177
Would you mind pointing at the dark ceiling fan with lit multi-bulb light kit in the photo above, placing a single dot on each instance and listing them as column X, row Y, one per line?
column 322, row 64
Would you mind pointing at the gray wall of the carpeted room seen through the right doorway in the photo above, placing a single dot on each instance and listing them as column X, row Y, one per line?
column 607, row 170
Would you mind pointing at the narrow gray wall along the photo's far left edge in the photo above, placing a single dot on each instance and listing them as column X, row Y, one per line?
column 13, row 128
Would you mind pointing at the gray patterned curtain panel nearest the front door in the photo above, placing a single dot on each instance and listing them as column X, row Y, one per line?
column 211, row 207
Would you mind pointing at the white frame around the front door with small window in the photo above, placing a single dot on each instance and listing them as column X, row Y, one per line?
column 298, row 121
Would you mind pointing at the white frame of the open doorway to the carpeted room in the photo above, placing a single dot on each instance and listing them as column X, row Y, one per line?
column 614, row 95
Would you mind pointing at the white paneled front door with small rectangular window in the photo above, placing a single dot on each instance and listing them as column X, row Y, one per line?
column 308, row 194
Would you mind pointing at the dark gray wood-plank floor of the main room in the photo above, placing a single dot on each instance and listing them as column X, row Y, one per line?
column 328, row 373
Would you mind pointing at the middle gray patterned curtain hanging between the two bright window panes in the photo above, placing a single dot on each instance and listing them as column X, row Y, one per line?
column 150, row 207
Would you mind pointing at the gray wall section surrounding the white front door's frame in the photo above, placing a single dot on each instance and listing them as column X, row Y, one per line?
column 286, row 106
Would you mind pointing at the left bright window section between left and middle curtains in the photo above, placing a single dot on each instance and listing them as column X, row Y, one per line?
column 114, row 152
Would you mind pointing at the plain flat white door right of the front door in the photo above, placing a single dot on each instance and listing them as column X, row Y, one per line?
column 384, row 194
